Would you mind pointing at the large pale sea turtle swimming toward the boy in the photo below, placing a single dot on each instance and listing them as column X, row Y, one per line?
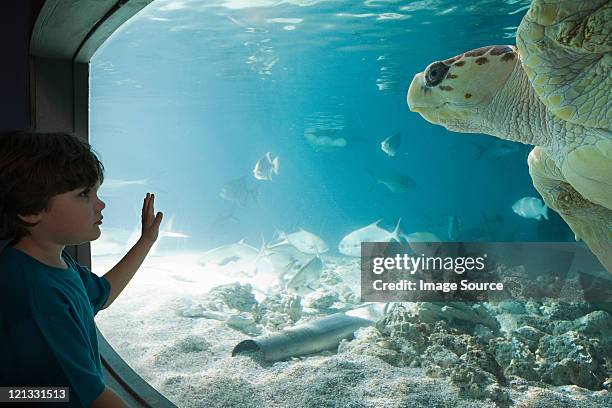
column 553, row 90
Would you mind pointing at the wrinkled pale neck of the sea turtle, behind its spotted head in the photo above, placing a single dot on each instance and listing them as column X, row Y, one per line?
column 517, row 114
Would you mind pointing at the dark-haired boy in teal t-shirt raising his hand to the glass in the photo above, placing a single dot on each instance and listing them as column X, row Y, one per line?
column 48, row 199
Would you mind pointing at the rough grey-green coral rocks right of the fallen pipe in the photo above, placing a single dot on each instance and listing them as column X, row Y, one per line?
column 453, row 341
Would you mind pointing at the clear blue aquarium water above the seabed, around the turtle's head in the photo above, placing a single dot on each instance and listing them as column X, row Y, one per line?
column 189, row 95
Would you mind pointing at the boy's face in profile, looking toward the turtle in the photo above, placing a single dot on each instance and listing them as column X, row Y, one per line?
column 73, row 217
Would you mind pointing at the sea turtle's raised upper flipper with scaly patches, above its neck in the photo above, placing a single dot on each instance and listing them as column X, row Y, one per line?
column 566, row 50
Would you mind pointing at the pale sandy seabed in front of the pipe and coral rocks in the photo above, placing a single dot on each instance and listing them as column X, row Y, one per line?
column 188, row 359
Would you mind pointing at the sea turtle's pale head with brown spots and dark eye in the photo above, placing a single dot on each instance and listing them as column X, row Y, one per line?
column 451, row 92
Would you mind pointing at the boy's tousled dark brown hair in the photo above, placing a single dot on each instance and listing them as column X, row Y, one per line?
column 36, row 166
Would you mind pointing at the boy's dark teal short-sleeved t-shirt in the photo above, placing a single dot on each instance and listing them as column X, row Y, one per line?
column 47, row 330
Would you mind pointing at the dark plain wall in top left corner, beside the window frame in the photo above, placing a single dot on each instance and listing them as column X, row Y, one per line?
column 16, row 21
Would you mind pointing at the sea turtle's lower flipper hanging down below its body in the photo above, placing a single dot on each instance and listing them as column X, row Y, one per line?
column 590, row 222
